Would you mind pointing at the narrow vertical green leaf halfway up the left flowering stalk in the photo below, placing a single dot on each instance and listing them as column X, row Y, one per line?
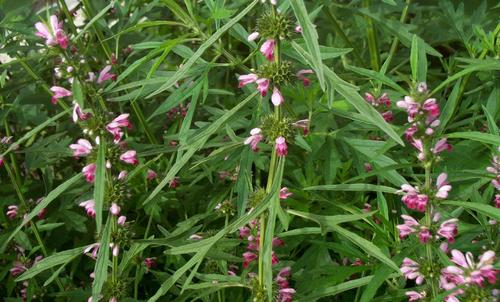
column 100, row 184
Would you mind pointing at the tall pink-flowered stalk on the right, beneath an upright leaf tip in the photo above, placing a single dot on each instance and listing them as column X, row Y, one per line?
column 423, row 117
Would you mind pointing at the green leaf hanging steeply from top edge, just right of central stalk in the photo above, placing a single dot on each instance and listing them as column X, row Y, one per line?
column 310, row 37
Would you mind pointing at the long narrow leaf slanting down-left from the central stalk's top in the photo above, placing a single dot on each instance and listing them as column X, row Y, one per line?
column 216, row 36
